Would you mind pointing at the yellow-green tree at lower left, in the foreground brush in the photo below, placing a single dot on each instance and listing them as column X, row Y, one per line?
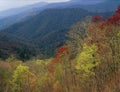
column 23, row 79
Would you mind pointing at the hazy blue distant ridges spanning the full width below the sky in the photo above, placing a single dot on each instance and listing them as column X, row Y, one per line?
column 72, row 3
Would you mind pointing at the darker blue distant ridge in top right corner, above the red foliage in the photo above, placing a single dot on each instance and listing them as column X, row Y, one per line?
column 94, row 6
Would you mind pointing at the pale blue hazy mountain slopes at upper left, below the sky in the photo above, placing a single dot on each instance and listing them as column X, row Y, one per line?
column 12, row 16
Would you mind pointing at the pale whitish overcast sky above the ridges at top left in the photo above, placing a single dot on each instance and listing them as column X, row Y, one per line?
column 7, row 4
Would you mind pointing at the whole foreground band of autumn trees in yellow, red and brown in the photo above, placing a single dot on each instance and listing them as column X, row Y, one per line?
column 88, row 62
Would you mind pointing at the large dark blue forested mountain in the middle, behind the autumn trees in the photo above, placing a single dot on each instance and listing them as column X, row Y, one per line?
column 48, row 28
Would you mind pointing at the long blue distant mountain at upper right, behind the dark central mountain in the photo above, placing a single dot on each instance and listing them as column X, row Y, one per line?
column 90, row 5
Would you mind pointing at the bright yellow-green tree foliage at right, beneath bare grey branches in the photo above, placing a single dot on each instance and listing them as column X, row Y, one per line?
column 86, row 59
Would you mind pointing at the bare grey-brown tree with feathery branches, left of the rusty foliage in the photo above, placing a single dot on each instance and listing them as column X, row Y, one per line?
column 76, row 36
